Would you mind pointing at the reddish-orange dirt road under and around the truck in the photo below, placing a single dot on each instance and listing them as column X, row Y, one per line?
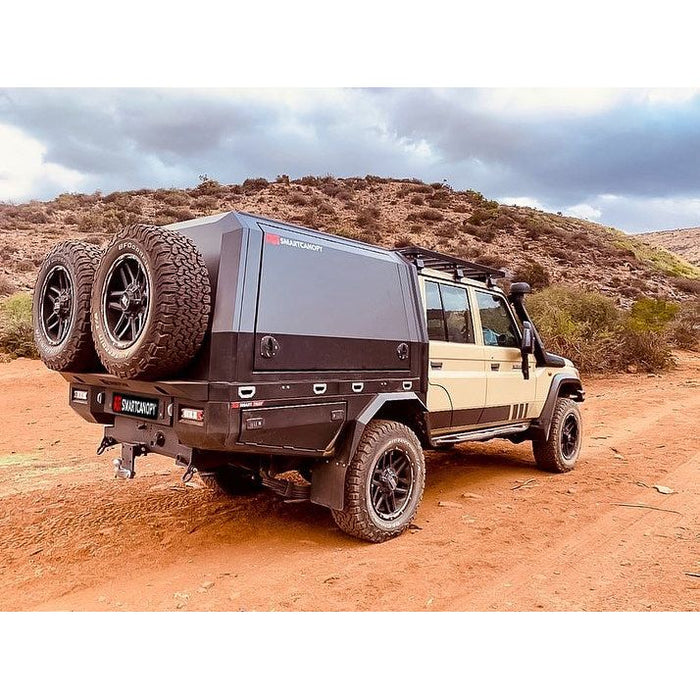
column 506, row 536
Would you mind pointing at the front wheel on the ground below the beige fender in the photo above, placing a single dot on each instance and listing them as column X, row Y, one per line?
column 559, row 452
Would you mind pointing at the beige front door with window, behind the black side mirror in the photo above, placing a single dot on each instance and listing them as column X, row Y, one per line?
column 509, row 396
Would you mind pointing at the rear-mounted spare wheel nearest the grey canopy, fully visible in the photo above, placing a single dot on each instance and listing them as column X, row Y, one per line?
column 151, row 303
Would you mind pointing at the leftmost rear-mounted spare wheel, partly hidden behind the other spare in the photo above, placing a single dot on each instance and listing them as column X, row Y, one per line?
column 61, row 307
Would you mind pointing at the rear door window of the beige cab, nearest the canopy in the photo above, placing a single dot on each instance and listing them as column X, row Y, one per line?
column 448, row 313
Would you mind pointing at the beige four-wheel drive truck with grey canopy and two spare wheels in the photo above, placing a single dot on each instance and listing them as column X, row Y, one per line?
column 260, row 353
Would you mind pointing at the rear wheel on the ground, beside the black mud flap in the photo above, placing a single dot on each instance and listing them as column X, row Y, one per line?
column 388, row 459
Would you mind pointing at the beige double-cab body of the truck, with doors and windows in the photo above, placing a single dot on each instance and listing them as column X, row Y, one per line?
column 475, row 371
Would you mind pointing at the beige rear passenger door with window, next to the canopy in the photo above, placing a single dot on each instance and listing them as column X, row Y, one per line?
column 456, row 363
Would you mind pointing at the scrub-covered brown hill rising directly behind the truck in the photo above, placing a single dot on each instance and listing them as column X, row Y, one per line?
column 529, row 244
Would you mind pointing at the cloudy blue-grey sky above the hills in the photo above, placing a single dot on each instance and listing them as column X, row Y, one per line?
column 625, row 158
